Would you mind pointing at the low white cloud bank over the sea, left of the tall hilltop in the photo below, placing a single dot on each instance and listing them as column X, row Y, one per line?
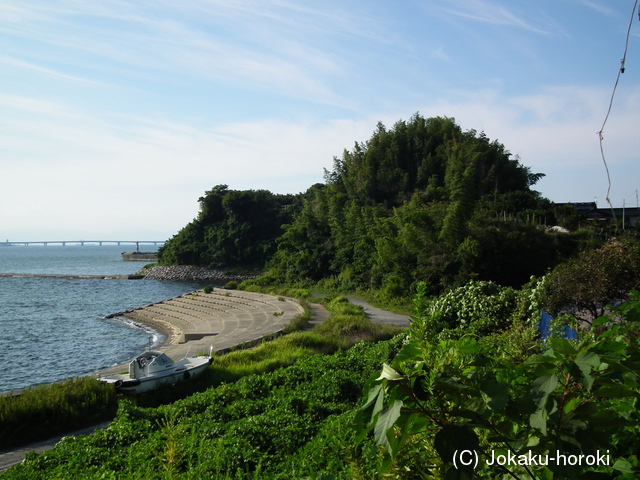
column 86, row 166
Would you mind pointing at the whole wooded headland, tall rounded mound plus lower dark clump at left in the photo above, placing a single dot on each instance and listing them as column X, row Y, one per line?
column 422, row 201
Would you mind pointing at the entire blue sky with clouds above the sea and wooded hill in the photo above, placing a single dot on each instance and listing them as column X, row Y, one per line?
column 117, row 115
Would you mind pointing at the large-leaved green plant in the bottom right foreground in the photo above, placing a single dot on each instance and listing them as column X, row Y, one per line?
column 446, row 410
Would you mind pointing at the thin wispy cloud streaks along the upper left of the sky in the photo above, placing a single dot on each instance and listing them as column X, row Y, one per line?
column 266, row 47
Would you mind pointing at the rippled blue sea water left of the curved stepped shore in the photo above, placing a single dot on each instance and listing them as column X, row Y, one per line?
column 54, row 328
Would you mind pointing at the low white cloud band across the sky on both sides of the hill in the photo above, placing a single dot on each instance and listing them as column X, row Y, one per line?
column 77, row 156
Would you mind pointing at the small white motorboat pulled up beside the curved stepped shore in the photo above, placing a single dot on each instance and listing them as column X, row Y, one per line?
column 153, row 369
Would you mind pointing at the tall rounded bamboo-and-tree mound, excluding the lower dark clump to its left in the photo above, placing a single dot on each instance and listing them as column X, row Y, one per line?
column 412, row 204
